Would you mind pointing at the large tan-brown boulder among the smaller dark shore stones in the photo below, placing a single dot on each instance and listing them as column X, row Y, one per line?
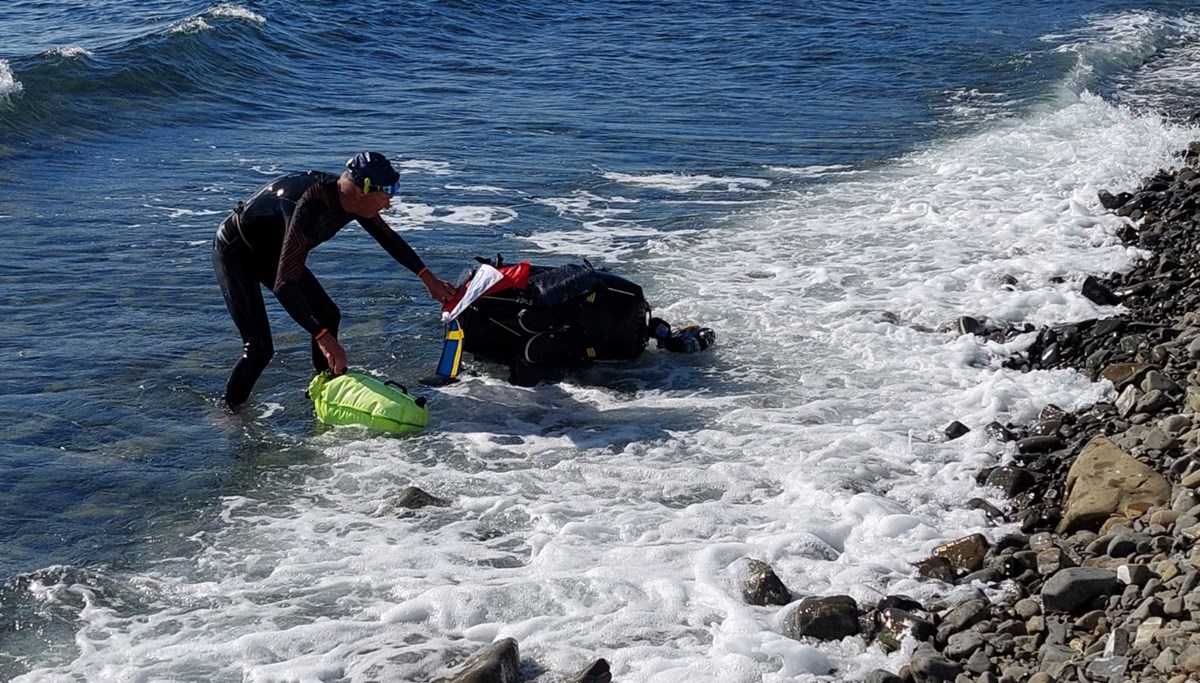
column 1103, row 482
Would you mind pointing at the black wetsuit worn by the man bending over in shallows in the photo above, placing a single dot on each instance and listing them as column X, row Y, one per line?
column 266, row 242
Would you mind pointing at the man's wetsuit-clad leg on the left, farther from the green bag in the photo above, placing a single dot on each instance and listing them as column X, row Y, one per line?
column 244, row 299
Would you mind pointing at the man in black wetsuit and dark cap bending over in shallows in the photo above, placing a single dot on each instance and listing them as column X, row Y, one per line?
column 267, row 241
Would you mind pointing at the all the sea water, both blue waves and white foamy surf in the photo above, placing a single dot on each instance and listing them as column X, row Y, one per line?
column 823, row 184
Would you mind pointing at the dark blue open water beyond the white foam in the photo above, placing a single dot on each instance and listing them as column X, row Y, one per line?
column 118, row 163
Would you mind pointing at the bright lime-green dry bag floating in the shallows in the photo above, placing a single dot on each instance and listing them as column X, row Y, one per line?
column 357, row 399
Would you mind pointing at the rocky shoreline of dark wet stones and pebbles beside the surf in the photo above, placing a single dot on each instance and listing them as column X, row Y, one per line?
column 1102, row 584
